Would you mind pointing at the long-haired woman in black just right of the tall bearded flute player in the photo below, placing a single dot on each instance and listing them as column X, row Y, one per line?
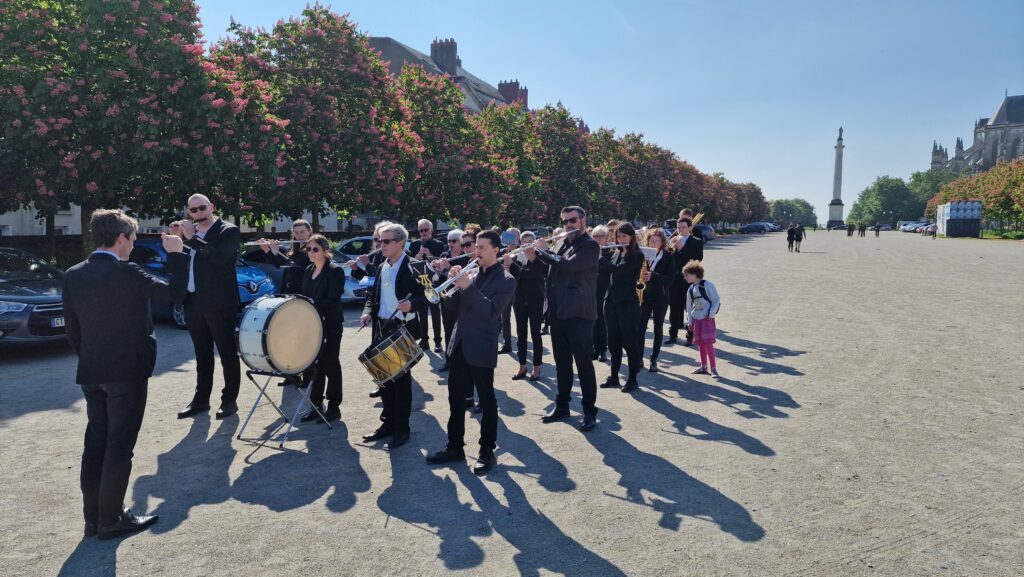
column 622, row 307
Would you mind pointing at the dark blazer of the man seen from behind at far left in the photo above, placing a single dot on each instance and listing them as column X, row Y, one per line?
column 108, row 317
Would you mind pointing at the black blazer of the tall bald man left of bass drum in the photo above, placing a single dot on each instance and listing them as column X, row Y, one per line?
column 214, row 267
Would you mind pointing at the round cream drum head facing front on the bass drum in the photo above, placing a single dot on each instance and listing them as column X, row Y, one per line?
column 294, row 337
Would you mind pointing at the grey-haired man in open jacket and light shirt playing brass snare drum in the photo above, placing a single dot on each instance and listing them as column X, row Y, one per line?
column 397, row 288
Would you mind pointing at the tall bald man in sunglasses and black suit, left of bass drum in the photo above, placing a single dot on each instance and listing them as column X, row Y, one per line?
column 211, row 304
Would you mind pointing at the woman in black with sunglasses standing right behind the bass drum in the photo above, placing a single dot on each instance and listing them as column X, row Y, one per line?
column 324, row 283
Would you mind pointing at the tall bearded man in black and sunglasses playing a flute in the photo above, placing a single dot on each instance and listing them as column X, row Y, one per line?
column 572, row 284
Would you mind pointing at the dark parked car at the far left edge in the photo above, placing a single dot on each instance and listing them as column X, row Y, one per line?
column 31, row 306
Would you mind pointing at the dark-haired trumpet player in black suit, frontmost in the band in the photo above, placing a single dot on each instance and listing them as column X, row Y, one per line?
column 473, row 356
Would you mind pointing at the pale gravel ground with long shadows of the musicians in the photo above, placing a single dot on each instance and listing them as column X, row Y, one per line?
column 868, row 423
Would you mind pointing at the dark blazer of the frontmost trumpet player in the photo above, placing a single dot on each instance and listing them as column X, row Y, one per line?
column 481, row 309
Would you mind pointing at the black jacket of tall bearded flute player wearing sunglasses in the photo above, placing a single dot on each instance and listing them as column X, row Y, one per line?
column 573, row 280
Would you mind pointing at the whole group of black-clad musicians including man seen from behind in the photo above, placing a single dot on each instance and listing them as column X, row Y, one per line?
column 598, row 290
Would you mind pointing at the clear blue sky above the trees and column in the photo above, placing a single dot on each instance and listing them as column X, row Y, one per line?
column 753, row 89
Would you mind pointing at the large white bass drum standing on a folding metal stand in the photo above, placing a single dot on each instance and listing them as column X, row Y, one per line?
column 280, row 335
